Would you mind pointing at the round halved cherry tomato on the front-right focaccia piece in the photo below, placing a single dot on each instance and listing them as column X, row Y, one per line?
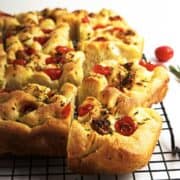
column 125, row 126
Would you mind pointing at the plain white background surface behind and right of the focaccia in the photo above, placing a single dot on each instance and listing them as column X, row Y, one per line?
column 156, row 20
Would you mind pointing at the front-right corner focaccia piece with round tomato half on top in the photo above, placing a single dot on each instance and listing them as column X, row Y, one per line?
column 100, row 142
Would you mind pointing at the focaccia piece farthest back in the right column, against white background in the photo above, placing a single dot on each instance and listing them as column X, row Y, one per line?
column 106, row 35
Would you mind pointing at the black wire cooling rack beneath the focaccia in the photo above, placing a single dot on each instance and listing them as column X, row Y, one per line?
column 164, row 164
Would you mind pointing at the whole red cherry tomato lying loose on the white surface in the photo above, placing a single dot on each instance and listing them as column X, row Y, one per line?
column 164, row 53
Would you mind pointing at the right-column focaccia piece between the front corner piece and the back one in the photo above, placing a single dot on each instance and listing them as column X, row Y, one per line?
column 123, row 86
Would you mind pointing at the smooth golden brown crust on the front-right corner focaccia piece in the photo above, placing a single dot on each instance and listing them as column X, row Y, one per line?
column 112, row 153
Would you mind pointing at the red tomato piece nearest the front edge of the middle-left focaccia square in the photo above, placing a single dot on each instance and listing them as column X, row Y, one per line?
column 53, row 73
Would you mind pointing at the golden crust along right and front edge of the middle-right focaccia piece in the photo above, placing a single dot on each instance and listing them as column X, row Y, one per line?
column 154, row 94
